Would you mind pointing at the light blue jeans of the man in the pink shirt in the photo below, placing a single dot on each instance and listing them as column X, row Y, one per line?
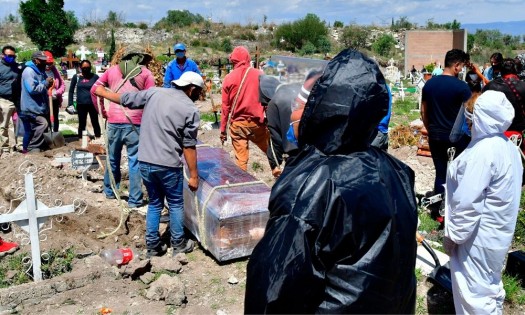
column 118, row 136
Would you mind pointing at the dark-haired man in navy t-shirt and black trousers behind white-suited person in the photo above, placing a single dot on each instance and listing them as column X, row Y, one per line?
column 442, row 98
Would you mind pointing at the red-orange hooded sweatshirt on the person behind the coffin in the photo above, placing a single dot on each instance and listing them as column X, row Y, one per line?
column 248, row 106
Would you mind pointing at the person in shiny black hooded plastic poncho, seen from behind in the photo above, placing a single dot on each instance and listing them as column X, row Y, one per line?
column 343, row 214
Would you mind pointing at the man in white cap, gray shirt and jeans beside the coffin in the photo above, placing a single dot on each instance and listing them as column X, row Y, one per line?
column 169, row 129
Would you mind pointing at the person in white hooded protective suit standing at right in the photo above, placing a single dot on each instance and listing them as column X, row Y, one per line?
column 482, row 202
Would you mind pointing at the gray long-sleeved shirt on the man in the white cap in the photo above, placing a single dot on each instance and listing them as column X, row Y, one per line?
column 169, row 123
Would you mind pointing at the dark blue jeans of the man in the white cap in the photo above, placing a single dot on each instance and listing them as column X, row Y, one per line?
column 163, row 183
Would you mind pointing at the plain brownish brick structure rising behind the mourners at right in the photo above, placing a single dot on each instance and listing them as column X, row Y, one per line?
column 423, row 47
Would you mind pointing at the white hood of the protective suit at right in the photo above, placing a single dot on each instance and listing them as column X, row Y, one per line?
column 493, row 114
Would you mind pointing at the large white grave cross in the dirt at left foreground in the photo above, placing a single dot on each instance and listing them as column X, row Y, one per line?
column 30, row 215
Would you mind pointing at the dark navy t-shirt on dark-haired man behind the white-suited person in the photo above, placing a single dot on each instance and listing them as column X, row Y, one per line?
column 444, row 95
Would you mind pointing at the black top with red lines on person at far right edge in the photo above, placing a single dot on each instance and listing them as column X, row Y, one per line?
column 498, row 84
